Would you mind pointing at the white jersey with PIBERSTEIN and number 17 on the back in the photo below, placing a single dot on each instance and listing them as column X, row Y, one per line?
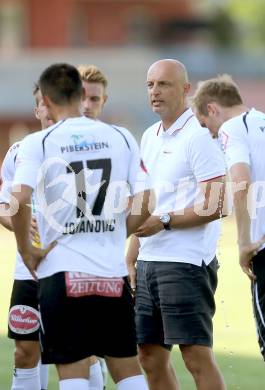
column 80, row 170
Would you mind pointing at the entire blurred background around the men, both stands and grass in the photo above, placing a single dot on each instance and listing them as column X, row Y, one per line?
column 123, row 37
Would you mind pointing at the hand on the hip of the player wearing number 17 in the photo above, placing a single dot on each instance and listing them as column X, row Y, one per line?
column 33, row 257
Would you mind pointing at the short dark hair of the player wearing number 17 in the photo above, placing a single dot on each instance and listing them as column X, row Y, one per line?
column 61, row 83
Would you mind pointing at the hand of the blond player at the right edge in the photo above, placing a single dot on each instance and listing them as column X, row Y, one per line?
column 246, row 253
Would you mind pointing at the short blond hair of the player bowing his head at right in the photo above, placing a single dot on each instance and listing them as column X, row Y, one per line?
column 222, row 90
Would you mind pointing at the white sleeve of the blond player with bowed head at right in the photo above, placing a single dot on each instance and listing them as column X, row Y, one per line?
column 234, row 141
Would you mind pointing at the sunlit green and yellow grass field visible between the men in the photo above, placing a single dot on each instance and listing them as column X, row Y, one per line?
column 235, row 346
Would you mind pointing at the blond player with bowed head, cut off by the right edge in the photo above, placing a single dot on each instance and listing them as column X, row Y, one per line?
column 219, row 106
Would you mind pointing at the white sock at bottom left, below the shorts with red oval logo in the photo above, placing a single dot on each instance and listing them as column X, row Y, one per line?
column 26, row 379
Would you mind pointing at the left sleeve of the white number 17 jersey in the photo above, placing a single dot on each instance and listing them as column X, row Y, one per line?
column 29, row 160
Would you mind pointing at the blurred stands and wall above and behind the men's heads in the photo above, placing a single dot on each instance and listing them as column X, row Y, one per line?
column 123, row 37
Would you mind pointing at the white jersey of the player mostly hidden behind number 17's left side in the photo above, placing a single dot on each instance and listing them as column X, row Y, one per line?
column 7, row 174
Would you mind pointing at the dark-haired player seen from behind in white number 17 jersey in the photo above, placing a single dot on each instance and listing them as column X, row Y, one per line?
column 81, row 170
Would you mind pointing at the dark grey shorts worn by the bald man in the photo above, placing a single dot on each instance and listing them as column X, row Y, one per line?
column 175, row 303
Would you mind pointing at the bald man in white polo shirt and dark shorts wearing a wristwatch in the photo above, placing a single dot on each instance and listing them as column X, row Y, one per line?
column 176, row 274
